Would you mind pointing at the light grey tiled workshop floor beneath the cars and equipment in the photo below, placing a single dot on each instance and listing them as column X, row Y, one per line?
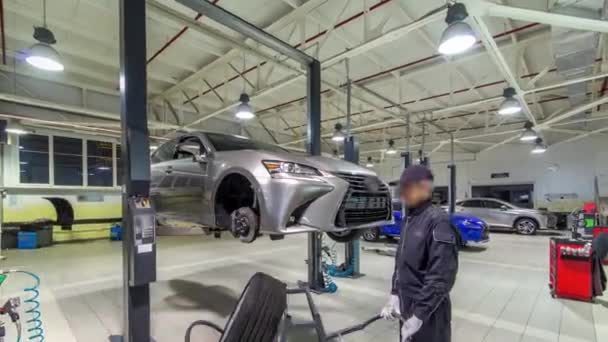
column 501, row 293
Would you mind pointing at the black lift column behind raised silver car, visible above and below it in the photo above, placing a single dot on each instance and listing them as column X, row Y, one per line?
column 315, row 273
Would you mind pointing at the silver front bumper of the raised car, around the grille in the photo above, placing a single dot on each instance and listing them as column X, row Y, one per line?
column 306, row 204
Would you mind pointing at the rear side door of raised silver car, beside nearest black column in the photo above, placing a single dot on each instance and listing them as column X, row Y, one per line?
column 161, row 186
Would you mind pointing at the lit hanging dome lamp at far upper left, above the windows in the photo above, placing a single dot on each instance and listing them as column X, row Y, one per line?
column 42, row 55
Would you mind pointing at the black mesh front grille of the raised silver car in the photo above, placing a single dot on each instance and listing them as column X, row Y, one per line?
column 367, row 200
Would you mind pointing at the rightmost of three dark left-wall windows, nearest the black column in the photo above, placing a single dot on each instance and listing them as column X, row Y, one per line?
column 99, row 163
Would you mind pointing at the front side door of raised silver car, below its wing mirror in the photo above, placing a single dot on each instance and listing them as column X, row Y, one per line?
column 189, row 170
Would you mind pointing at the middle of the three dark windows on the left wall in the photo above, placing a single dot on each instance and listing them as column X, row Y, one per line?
column 67, row 155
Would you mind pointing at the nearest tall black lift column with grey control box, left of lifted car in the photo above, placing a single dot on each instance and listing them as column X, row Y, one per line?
column 135, row 156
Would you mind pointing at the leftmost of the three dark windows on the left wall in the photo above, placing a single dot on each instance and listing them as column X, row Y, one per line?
column 34, row 159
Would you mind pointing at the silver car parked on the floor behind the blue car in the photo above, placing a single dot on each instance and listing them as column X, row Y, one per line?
column 501, row 214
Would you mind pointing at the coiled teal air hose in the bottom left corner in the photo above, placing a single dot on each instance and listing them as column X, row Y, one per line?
column 34, row 323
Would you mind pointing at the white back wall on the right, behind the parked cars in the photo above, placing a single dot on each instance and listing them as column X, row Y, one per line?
column 566, row 168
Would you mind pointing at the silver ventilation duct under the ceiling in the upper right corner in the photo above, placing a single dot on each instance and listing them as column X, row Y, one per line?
column 575, row 51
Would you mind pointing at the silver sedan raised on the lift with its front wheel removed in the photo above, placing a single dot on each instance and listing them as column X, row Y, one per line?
column 228, row 182
